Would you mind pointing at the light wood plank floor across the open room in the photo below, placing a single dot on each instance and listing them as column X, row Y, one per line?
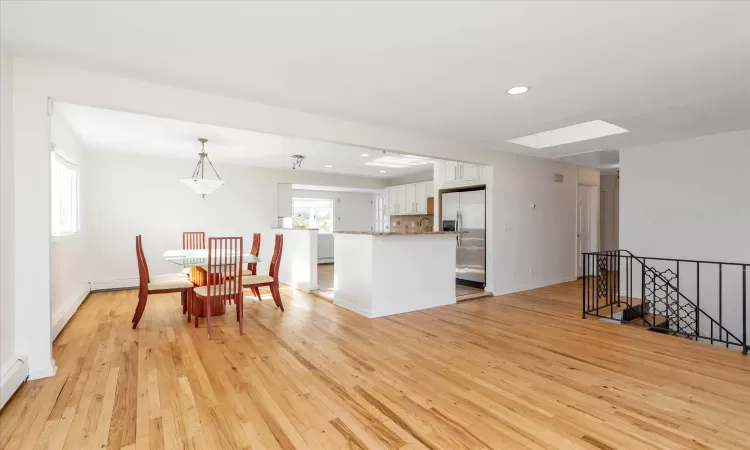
column 521, row 370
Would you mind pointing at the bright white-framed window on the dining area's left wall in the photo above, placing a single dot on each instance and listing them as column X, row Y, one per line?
column 64, row 184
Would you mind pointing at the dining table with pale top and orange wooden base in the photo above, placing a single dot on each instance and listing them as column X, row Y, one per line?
column 196, row 260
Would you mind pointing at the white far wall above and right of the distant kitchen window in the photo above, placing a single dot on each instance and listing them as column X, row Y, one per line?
column 353, row 210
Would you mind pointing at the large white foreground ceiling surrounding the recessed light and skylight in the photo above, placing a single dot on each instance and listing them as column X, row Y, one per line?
column 663, row 70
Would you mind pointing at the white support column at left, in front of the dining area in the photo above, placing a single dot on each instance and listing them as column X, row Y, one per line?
column 32, row 220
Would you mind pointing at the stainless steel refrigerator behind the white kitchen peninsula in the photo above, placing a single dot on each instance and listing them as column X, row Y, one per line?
column 464, row 211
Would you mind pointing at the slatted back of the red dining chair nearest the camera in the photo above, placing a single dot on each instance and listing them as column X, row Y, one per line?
column 224, row 267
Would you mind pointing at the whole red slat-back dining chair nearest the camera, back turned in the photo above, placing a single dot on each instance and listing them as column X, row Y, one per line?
column 224, row 258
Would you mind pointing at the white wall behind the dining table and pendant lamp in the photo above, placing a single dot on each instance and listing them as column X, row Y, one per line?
column 132, row 194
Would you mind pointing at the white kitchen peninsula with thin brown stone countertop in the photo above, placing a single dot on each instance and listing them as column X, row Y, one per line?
column 381, row 274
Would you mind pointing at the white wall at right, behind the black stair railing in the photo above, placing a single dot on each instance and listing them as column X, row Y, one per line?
column 690, row 199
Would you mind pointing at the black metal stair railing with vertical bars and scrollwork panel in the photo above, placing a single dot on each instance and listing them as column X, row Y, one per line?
column 620, row 286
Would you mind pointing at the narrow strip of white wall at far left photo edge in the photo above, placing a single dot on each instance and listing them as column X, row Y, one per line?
column 8, row 351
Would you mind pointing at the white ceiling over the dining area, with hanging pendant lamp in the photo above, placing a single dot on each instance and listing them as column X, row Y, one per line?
column 107, row 130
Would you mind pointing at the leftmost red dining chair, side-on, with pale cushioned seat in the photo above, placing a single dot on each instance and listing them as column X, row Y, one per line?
column 163, row 284
